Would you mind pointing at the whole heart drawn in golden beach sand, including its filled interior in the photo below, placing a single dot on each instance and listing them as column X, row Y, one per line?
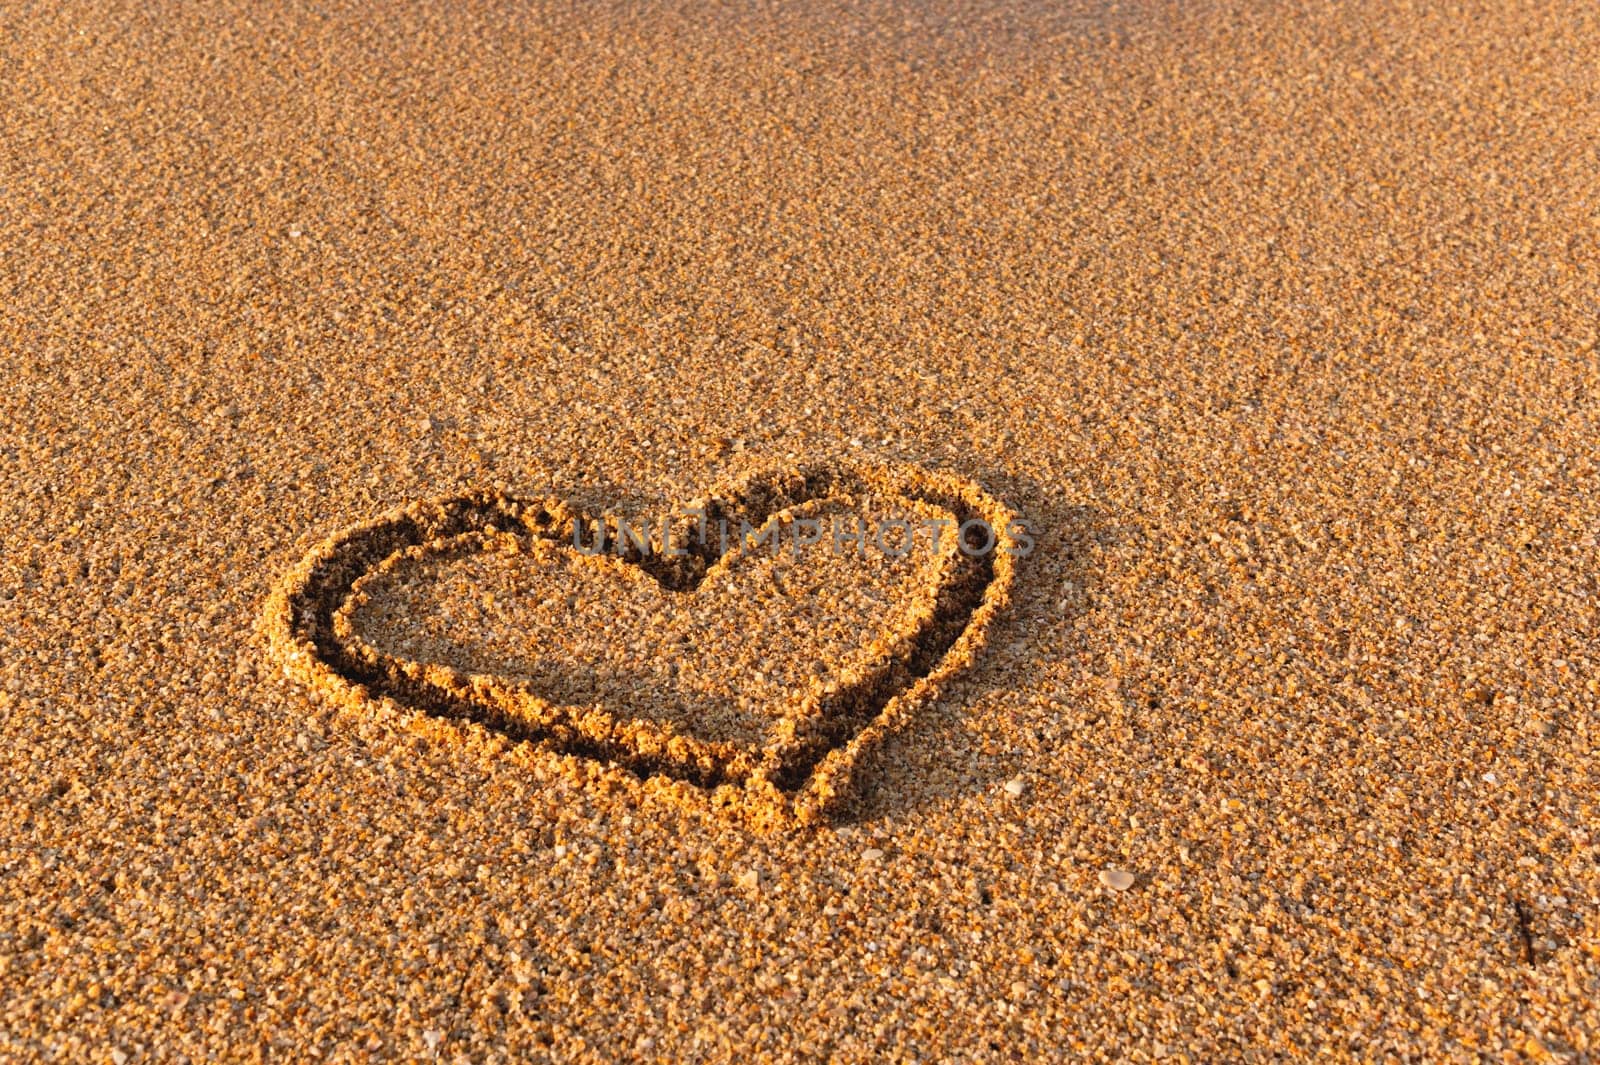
column 750, row 648
